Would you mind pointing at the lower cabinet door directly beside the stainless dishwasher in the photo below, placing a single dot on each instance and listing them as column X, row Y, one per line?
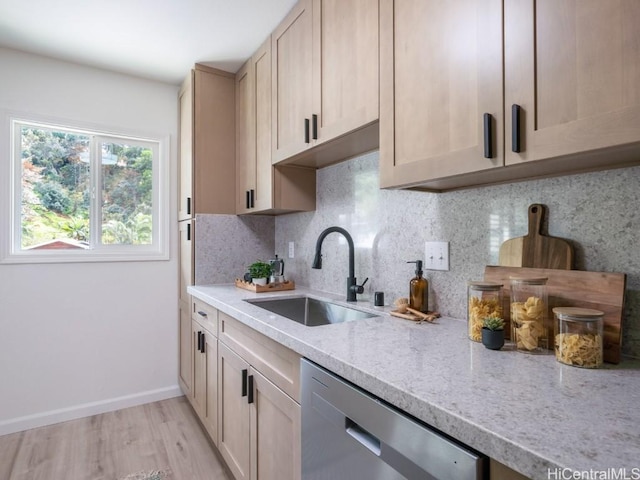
column 275, row 432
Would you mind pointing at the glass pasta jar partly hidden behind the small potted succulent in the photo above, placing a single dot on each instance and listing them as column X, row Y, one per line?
column 484, row 299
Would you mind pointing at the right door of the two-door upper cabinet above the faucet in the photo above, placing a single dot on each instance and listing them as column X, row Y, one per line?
column 345, row 65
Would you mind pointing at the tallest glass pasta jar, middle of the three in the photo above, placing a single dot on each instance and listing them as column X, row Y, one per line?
column 529, row 308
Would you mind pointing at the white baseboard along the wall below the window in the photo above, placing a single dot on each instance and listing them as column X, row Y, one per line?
column 87, row 409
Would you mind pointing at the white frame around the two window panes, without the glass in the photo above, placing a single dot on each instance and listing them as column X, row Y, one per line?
column 11, row 212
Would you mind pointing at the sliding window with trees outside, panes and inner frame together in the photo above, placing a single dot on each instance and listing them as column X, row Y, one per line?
column 81, row 194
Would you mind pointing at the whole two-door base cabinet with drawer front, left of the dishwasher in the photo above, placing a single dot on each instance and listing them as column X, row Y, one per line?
column 259, row 413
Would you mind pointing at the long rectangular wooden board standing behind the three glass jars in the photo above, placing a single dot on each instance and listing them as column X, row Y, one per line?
column 575, row 288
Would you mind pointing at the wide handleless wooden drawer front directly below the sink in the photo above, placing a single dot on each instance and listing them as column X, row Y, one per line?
column 274, row 361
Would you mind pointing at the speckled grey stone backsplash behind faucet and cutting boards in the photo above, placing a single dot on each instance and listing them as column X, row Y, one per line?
column 597, row 211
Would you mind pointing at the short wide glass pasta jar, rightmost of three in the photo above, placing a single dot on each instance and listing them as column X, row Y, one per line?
column 578, row 336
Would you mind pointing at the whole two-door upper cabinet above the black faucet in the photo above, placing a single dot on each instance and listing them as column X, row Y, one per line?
column 325, row 94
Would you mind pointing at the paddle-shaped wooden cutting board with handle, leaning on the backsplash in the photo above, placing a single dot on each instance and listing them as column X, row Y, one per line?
column 536, row 250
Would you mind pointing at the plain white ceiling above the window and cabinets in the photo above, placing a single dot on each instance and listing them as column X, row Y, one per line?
column 157, row 39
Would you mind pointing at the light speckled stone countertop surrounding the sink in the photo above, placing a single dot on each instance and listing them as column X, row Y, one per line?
column 530, row 413
